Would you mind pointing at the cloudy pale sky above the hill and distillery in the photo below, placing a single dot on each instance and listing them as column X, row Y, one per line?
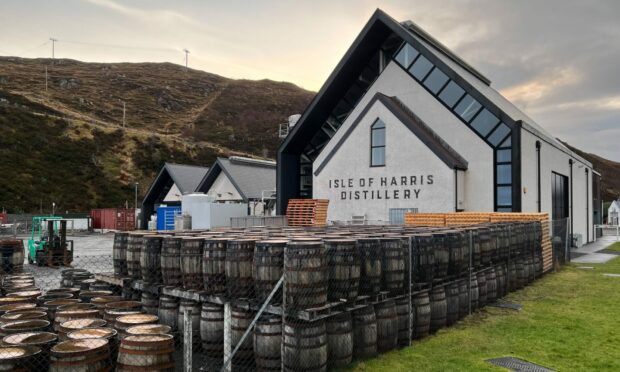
column 558, row 60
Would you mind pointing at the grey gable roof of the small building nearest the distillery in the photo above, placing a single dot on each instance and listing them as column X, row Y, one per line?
column 249, row 176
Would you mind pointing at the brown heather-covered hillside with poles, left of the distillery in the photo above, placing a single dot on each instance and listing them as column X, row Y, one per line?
column 67, row 145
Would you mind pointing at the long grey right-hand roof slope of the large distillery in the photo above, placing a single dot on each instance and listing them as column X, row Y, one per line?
column 483, row 85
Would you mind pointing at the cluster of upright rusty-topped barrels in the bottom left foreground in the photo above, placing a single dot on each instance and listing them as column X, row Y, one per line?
column 69, row 329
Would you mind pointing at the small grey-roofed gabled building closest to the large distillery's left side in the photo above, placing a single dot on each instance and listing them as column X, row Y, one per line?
column 242, row 180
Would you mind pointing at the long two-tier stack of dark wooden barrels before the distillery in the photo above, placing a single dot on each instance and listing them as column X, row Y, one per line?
column 349, row 292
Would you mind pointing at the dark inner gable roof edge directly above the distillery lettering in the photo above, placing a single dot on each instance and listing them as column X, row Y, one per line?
column 431, row 139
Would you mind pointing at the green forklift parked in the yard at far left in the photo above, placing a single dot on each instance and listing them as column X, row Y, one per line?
column 50, row 247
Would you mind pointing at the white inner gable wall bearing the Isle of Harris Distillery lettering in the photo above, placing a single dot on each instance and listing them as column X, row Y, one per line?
column 363, row 192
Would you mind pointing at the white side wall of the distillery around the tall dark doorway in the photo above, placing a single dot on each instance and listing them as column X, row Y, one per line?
column 555, row 160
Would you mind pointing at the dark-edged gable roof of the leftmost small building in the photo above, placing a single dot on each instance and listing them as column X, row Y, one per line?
column 185, row 177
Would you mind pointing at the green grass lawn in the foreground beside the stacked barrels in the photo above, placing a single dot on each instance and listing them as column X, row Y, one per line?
column 569, row 322
